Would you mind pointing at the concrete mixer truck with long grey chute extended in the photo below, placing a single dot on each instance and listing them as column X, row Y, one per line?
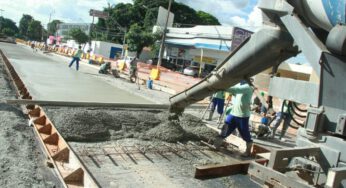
column 315, row 28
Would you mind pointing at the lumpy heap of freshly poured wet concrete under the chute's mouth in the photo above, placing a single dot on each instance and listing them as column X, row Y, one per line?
column 104, row 124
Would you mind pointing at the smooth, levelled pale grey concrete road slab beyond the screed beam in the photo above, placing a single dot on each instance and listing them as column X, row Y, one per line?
column 48, row 77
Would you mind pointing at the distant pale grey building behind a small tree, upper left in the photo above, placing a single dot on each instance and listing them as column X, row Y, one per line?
column 65, row 28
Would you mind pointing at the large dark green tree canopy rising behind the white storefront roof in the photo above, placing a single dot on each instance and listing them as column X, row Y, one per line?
column 144, row 14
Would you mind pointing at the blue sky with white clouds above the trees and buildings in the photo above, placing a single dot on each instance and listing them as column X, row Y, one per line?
column 241, row 13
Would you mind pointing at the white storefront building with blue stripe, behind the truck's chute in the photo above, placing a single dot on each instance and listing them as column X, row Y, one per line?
column 202, row 47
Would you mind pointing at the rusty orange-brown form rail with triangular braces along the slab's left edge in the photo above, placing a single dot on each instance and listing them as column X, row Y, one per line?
column 66, row 163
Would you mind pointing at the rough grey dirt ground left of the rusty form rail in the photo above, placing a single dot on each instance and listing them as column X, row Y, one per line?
column 22, row 164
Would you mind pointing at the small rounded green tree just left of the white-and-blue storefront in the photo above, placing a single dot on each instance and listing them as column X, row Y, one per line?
column 138, row 38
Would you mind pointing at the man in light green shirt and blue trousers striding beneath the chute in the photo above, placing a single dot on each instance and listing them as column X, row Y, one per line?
column 239, row 116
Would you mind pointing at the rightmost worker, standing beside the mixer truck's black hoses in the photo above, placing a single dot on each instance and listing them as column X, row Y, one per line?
column 285, row 115
